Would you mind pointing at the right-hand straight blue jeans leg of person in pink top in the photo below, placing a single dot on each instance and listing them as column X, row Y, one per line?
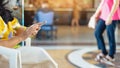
column 111, row 37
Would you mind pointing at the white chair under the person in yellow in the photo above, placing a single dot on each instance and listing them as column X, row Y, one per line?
column 26, row 56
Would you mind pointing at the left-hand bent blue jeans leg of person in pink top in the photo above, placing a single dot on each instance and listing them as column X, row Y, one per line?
column 100, row 28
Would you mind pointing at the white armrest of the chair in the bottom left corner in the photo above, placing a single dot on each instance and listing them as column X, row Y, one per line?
column 11, row 55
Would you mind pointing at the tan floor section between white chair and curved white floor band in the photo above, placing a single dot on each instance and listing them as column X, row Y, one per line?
column 60, row 56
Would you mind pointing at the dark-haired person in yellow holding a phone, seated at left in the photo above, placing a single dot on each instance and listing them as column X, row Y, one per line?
column 11, row 32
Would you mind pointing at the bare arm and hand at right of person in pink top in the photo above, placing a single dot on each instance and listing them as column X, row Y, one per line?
column 114, row 7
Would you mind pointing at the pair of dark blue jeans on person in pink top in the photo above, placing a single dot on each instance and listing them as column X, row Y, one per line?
column 99, row 30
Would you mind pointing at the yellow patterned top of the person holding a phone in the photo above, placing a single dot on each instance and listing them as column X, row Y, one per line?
column 7, row 30
